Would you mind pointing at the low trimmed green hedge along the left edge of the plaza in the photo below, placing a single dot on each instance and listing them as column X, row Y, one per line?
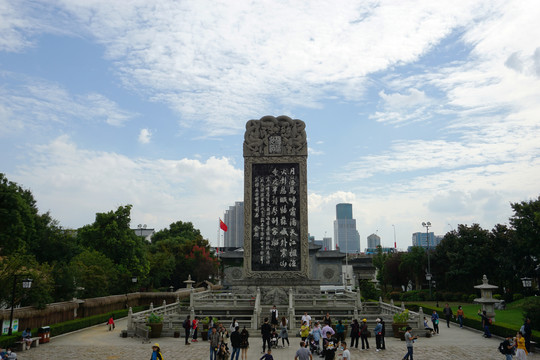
column 69, row 326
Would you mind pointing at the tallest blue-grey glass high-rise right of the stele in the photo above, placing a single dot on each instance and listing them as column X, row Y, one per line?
column 345, row 233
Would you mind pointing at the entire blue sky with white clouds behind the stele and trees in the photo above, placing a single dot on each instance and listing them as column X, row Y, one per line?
column 415, row 110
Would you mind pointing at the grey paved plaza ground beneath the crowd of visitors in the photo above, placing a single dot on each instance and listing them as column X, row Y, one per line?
column 98, row 343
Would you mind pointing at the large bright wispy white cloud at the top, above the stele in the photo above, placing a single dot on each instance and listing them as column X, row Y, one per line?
column 216, row 63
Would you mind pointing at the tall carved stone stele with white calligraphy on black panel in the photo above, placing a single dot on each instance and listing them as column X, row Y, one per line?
column 276, row 249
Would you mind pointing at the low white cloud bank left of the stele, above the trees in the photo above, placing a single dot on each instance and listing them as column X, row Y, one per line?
column 64, row 177
